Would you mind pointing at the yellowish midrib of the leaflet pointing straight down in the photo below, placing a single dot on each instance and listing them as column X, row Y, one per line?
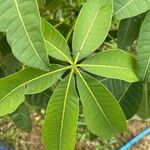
column 64, row 109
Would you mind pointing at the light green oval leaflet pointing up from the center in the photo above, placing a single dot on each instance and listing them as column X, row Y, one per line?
column 92, row 27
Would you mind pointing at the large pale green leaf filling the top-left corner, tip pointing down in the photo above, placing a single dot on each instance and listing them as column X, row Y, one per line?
column 20, row 20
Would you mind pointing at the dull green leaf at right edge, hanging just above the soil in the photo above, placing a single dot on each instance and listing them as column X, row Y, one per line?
column 144, row 109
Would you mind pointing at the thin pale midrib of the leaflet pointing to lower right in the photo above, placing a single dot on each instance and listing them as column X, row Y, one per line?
column 101, row 110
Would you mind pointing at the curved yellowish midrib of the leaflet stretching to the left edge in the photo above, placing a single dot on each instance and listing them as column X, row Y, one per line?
column 49, row 73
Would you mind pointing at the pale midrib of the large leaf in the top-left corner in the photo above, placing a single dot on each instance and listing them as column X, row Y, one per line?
column 28, row 37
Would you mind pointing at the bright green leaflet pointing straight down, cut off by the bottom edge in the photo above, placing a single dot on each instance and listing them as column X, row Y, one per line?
column 59, row 132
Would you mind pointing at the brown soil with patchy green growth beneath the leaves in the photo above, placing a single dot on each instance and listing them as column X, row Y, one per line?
column 32, row 141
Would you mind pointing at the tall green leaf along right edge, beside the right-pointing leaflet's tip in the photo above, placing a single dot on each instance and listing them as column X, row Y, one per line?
column 143, row 50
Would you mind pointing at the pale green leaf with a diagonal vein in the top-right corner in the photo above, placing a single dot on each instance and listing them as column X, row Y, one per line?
column 130, row 8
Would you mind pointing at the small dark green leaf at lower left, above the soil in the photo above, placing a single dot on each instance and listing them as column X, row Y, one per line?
column 21, row 118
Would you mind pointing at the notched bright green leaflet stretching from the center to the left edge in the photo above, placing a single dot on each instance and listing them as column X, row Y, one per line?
column 13, row 87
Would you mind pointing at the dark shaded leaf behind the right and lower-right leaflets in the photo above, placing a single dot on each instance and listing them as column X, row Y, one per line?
column 129, row 95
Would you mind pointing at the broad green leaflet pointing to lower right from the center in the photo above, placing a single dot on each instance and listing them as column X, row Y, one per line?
column 103, row 114
